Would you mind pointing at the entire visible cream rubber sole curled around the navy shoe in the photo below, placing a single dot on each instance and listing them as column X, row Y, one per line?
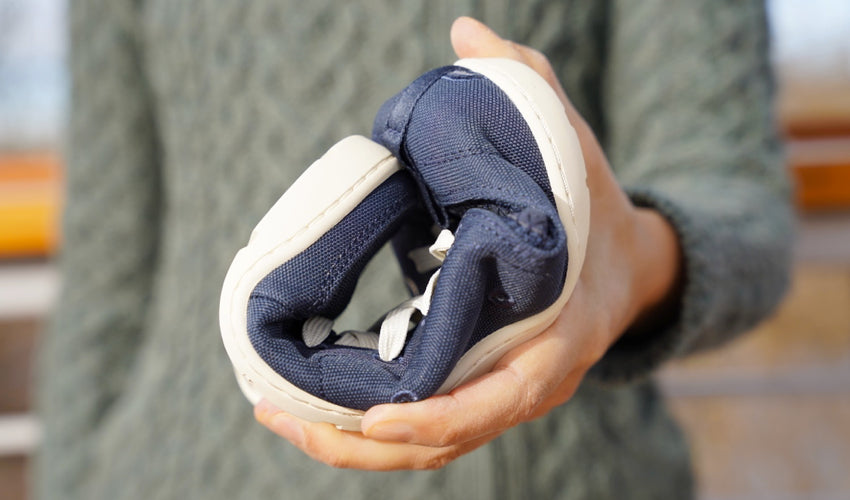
column 340, row 180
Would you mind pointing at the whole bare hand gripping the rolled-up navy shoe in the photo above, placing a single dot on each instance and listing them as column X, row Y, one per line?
column 631, row 269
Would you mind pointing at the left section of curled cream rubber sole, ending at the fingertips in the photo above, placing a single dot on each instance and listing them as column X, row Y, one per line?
column 321, row 197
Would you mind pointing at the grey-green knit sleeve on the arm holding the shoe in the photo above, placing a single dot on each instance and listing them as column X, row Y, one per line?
column 687, row 98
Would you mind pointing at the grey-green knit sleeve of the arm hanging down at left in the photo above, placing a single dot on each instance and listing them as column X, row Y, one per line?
column 110, row 230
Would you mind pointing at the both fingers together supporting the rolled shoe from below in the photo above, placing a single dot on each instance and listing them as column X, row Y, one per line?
column 431, row 433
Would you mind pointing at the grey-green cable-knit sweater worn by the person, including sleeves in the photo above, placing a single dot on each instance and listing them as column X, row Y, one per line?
column 190, row 117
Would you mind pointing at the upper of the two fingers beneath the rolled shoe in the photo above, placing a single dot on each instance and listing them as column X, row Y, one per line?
column 534, row 377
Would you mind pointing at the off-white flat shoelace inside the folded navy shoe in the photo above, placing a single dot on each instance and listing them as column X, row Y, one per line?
column 396, row 323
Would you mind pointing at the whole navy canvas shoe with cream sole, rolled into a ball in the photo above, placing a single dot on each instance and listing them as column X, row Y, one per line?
column 481, row 150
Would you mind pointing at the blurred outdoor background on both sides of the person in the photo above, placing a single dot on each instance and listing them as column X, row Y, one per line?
column 768, row 417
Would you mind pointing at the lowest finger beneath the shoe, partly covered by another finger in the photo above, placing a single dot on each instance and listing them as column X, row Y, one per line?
column 345, row 449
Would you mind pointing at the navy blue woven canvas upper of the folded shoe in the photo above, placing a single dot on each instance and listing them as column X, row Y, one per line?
column 472, row 166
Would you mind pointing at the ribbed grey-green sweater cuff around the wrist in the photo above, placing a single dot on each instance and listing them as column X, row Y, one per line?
column 635, row 357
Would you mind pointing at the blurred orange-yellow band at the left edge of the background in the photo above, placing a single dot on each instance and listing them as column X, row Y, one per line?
column 30, row 200
